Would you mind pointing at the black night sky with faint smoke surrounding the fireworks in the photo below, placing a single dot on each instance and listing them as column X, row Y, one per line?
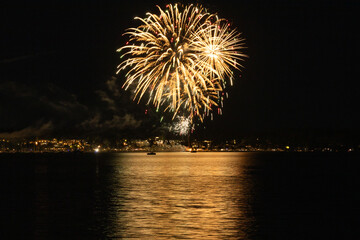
column 58, row 64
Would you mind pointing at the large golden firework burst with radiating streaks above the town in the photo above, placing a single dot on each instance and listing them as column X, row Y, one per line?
column 180, row 59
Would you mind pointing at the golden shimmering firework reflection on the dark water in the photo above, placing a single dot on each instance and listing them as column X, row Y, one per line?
column 182, row 195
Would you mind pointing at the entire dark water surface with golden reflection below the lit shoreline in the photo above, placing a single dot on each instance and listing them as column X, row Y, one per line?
column 176, row 196
